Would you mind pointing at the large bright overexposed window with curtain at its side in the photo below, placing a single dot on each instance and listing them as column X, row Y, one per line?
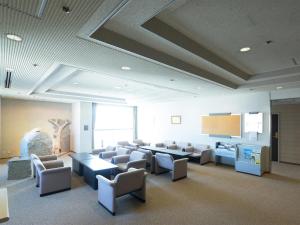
column 113, row 124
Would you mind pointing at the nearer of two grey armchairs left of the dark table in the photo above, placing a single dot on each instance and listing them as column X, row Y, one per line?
column 52, row 176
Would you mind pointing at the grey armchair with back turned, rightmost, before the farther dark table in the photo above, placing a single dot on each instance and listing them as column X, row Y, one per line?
column 165, row 163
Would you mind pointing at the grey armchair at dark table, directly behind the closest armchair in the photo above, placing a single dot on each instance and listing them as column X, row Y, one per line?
column 136, row 160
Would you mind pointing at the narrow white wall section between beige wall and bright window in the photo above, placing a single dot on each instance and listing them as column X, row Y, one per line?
column 82, row 115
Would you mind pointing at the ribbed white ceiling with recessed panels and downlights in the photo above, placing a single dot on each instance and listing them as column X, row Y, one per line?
column 175, row 49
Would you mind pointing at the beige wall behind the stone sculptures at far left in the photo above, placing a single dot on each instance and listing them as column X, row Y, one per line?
column 20, row 116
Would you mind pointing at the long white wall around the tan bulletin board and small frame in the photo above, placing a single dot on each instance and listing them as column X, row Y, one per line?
column 154, row 119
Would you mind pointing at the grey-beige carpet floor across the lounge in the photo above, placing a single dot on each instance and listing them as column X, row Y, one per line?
column 211, row 195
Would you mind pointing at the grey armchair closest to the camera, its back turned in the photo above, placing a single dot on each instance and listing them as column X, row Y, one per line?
column 131, row 182
